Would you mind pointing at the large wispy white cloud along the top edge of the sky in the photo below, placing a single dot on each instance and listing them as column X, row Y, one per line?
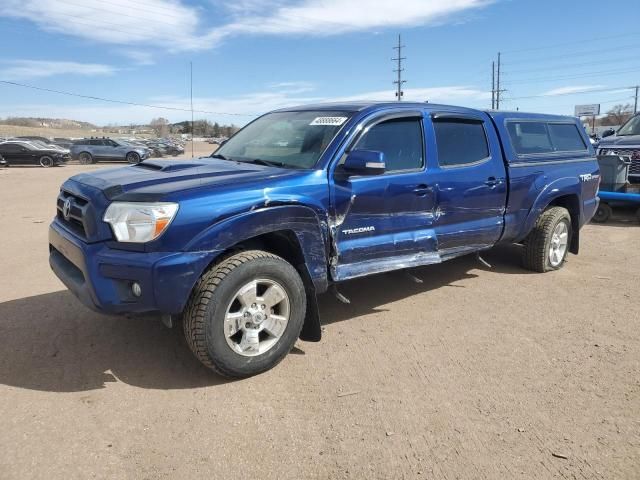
column 172, row 25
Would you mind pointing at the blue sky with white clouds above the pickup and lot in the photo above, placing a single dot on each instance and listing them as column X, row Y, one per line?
column 251, row 56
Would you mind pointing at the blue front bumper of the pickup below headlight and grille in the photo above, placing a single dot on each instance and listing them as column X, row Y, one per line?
column 101, row 277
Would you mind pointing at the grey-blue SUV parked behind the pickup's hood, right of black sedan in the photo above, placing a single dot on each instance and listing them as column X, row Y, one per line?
column 92, row 150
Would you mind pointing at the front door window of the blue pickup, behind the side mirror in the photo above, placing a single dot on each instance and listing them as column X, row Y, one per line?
column 400, row 140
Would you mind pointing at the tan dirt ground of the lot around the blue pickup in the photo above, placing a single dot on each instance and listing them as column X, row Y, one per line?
column 475, row 373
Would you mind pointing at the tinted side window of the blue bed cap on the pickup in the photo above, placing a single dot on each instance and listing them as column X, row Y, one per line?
column 540, row 137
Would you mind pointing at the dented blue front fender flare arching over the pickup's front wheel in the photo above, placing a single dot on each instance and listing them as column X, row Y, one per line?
column 309, row 229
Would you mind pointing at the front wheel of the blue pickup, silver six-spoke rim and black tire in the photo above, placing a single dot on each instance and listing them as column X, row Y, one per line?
column 245, row 314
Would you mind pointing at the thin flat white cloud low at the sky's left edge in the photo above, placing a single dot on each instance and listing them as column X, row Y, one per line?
column 26, row 69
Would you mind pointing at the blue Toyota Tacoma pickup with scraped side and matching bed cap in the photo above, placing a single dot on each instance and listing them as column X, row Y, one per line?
column 236, row 246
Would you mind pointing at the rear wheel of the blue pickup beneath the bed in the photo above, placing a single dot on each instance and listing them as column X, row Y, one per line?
column 547, row 245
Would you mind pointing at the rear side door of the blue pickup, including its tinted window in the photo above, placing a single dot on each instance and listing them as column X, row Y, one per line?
column 467, row 173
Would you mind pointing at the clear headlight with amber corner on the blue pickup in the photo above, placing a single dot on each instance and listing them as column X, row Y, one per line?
column 139, row 222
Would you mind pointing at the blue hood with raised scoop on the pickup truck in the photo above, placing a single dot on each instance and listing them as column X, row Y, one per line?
column 154, row 180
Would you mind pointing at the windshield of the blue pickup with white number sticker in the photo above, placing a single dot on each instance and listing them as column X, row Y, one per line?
column 285, row 139
